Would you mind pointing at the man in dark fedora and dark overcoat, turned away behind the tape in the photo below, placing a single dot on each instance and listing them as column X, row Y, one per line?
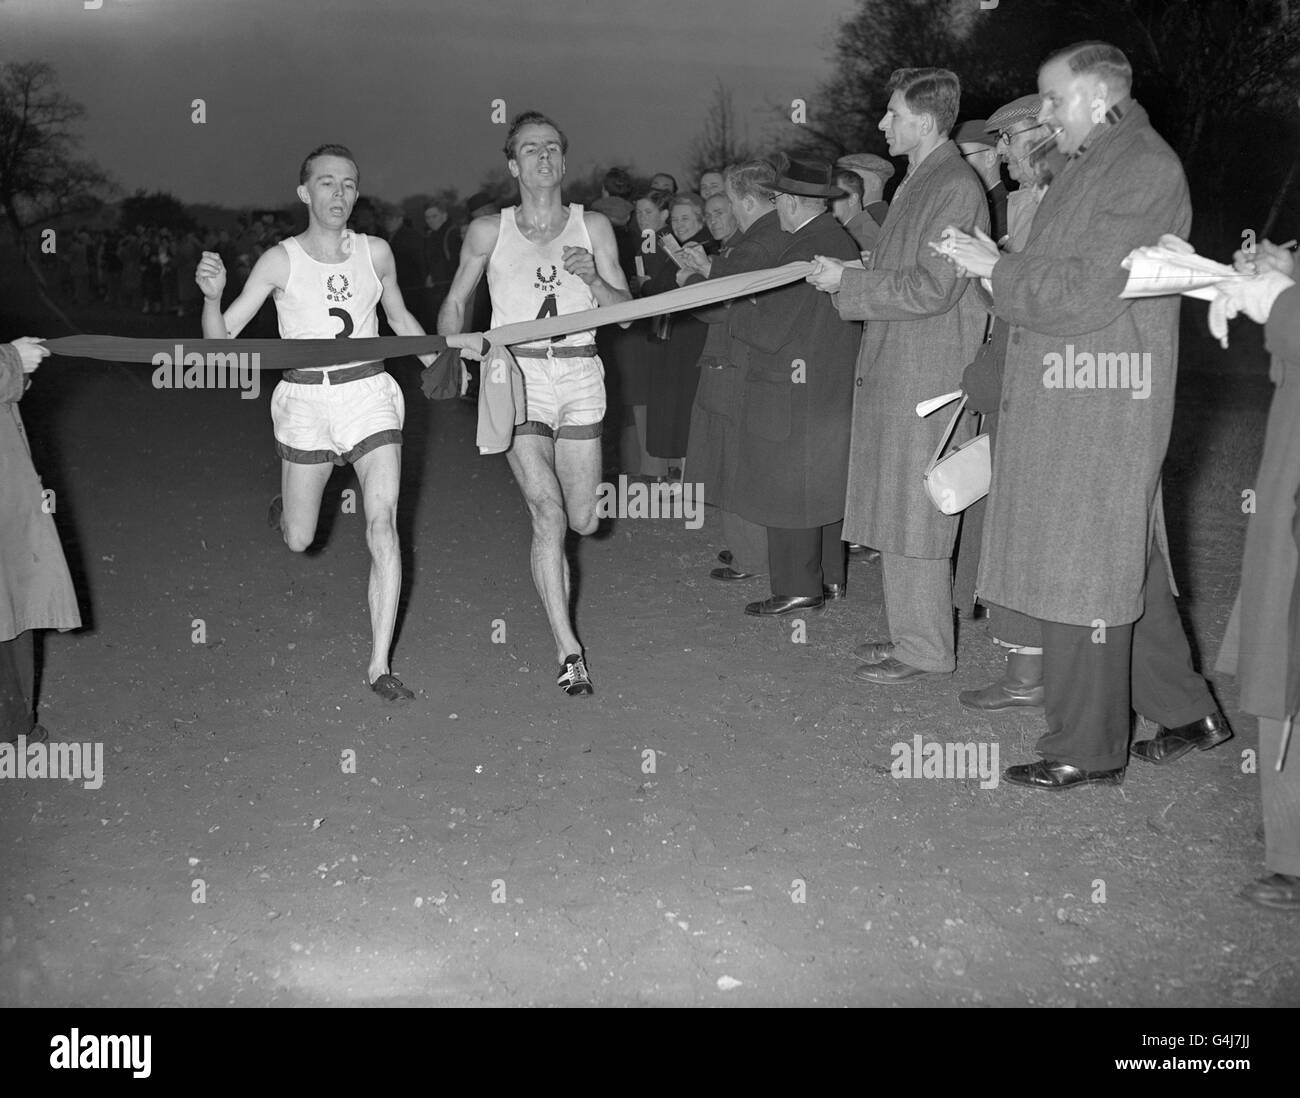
column 796, row 403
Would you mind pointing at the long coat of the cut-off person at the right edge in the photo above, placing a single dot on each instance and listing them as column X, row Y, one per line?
column 1258, row 649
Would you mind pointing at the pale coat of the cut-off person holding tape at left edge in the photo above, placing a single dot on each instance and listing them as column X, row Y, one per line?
column 36, row 589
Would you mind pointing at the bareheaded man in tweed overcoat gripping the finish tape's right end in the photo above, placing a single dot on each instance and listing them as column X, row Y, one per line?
column 924, row 327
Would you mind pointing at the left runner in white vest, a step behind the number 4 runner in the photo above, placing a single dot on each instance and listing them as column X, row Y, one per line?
column 326, row 285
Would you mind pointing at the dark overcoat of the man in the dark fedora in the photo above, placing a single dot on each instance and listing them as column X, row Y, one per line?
column 796, row 393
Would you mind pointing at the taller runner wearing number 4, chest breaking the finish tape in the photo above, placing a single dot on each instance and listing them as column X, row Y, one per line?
column 548, row 259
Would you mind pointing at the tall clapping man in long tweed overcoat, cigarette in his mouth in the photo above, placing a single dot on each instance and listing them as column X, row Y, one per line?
column 1076, row 532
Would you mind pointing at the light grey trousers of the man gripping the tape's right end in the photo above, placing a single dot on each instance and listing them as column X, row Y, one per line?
column 920, row 610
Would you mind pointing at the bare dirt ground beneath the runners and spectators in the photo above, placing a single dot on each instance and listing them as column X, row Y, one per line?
column 501, row 844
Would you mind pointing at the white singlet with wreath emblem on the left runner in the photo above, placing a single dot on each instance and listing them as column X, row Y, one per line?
column 330, row 301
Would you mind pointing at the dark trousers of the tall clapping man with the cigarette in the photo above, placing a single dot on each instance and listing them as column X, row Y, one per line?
column 1091, row 687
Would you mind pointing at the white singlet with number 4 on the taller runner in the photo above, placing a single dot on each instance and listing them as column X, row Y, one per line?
column 528, row 281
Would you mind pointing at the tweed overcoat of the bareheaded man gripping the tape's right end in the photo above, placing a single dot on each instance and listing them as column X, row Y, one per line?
column 924, row 328
